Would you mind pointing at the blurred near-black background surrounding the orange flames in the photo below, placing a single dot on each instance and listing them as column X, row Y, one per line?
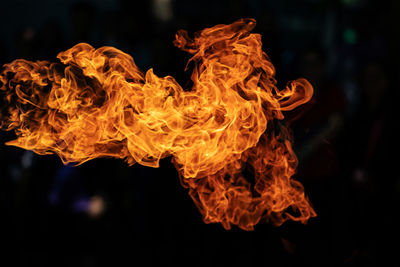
column 105, row 213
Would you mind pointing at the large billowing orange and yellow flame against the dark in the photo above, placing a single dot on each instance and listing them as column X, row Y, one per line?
column 225, row 135
